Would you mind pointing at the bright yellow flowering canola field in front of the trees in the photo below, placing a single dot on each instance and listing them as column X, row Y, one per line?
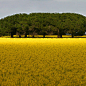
column 42, row 62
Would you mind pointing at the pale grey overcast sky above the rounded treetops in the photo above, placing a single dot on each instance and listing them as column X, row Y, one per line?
column 11, row 7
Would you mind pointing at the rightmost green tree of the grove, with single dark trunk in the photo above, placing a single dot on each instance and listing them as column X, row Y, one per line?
column 73, row 25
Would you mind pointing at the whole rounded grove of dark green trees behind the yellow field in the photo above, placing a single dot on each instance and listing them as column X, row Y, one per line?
column 43, row 24
